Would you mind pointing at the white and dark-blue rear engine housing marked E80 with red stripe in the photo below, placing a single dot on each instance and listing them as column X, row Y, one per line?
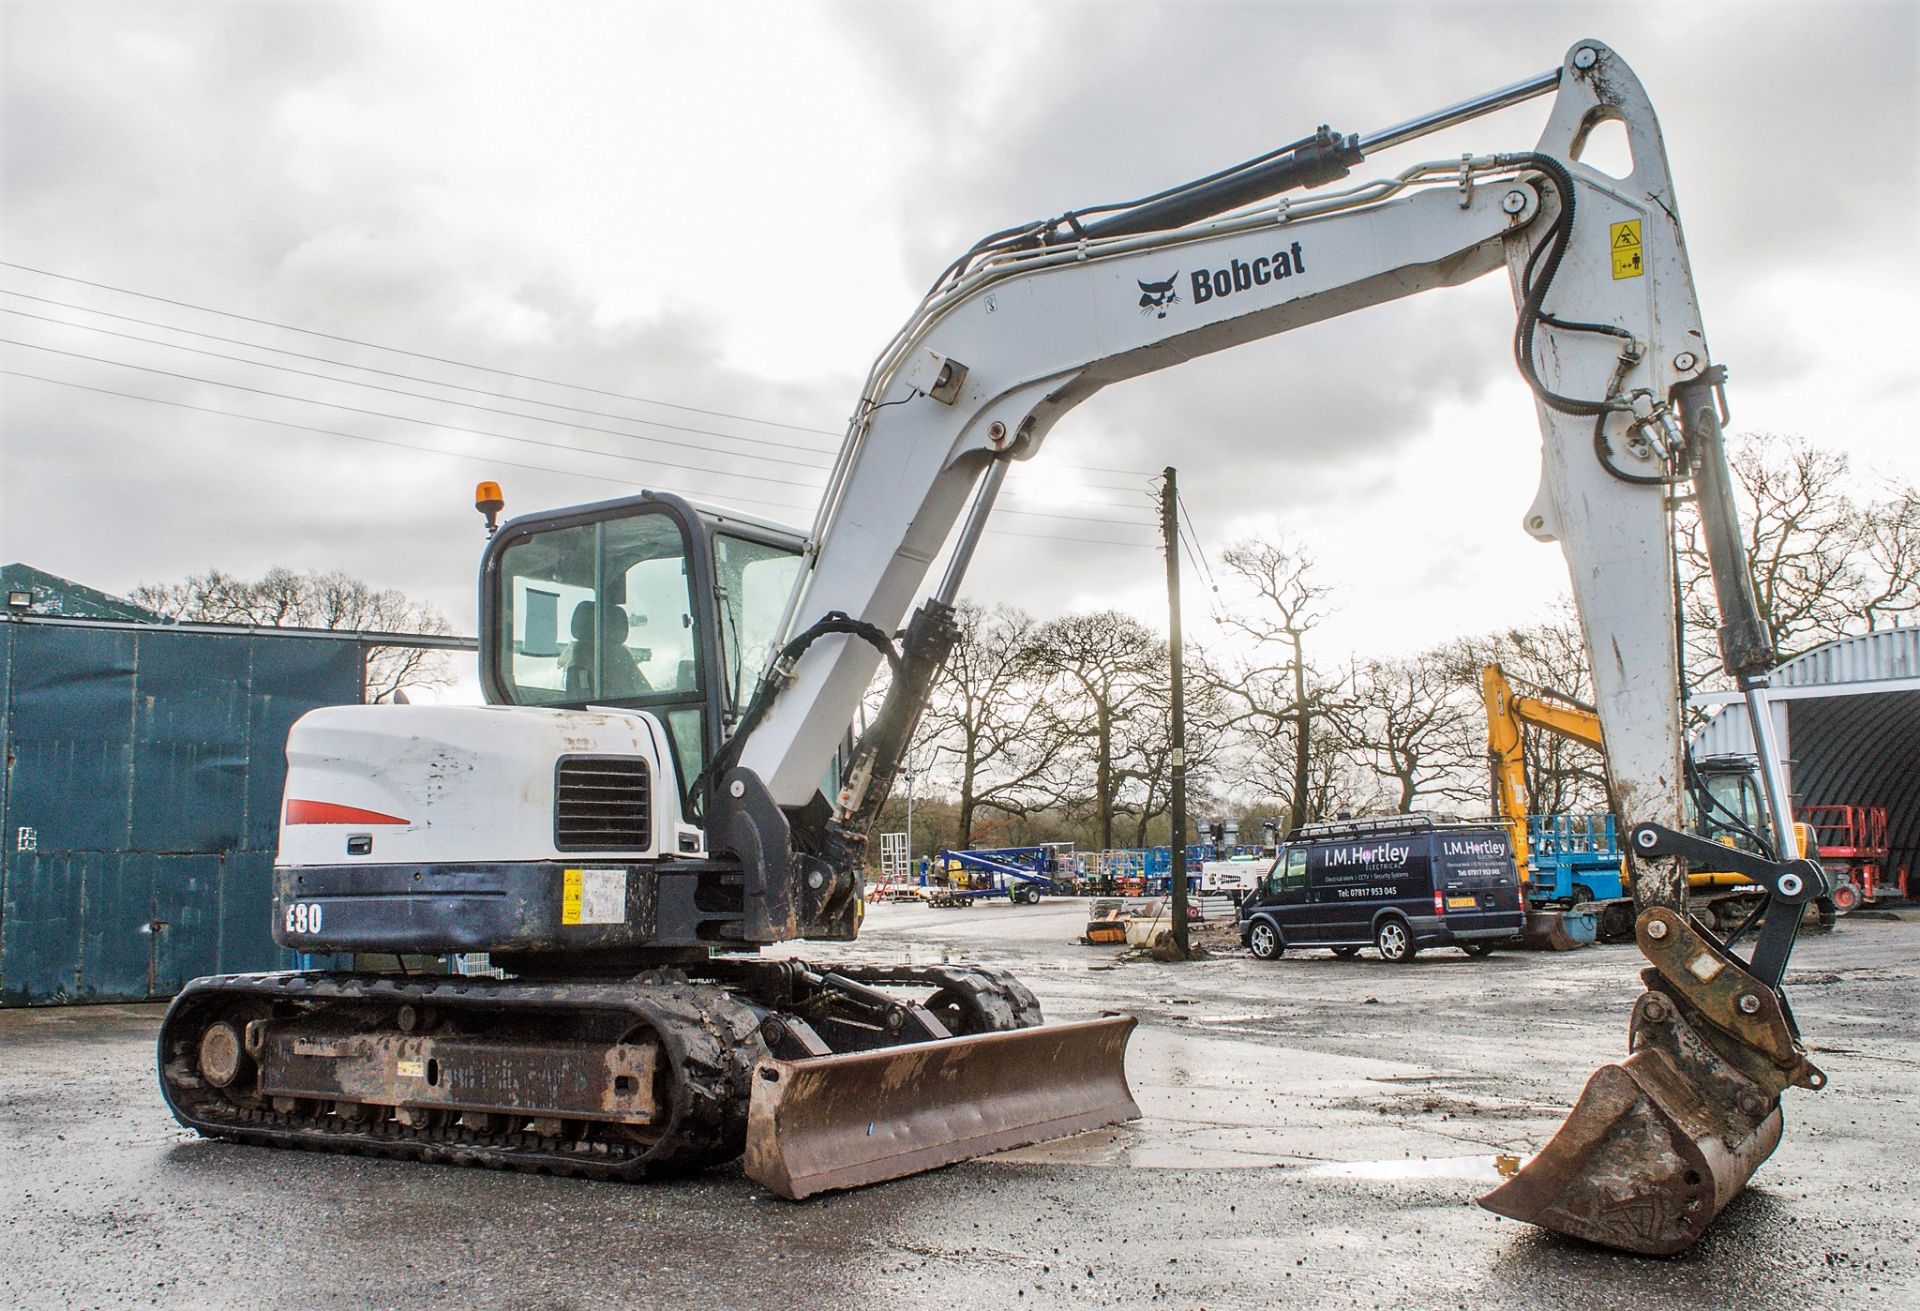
column 491, row 830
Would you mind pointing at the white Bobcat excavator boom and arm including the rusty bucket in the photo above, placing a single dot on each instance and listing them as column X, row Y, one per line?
column 1610, row 339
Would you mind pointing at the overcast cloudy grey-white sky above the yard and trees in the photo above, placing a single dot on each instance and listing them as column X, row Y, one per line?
column 732, row 206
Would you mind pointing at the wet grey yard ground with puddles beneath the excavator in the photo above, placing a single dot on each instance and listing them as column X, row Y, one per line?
column 1314, row 1135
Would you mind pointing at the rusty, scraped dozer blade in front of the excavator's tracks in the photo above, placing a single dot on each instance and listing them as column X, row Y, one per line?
column 842, row 1122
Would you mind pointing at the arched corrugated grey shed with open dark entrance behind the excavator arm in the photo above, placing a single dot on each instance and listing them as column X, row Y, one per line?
column 1850, row 725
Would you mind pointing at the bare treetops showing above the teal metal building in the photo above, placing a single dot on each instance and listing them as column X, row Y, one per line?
column 337, row 602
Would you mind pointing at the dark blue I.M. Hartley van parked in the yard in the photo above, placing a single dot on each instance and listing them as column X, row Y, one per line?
column 1401, row 884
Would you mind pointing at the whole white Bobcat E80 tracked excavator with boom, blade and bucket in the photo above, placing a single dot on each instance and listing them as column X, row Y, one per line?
column 660, row 786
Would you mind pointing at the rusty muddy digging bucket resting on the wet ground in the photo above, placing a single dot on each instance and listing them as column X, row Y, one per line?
column 1641, row 1164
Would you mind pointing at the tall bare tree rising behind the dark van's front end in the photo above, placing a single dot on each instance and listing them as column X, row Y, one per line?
column 1280, row 700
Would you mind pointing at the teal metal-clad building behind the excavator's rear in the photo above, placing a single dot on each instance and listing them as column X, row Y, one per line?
column 141, row 799
